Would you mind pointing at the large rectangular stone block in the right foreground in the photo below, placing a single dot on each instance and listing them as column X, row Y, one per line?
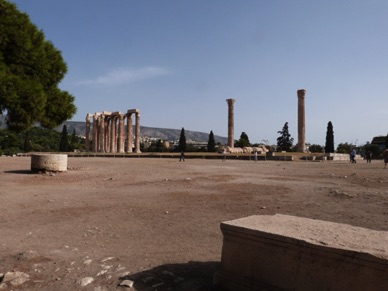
column 283, row 252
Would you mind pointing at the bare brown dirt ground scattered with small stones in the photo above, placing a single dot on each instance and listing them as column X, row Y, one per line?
column 157, row 221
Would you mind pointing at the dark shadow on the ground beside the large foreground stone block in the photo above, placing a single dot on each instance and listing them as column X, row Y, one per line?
column 192, row 276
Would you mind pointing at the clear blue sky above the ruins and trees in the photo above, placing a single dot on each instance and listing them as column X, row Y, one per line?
column 178, row 61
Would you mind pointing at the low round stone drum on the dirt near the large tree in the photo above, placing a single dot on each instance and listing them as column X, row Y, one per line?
column 49, row 162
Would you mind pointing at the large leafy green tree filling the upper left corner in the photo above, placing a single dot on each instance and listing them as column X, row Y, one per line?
column 31, row 69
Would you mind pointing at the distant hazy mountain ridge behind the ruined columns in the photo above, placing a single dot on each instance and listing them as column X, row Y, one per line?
column 152, row 132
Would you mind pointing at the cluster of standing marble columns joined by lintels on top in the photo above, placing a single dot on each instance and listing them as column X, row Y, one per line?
column 112, row 132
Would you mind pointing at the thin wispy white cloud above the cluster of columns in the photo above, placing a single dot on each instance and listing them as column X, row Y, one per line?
column 124, row 76
